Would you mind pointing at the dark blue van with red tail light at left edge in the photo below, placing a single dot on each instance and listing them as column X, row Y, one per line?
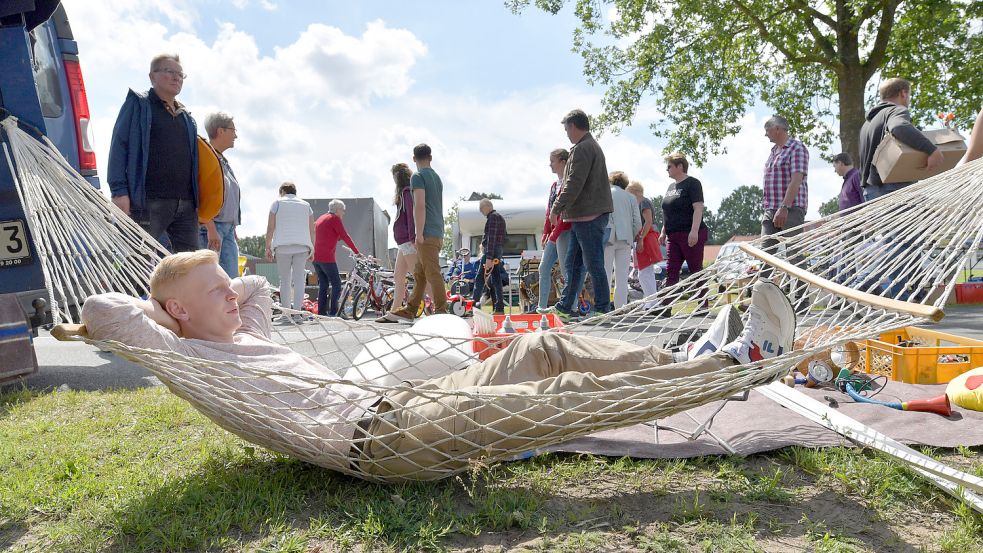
column 40, row 84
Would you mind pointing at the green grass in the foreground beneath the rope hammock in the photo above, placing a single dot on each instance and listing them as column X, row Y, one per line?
column 142, row 471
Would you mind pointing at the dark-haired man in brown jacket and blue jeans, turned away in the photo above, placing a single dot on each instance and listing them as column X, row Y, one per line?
column 585, row 201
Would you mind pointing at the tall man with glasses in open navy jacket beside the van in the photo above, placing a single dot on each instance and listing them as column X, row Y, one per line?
column 153, row 158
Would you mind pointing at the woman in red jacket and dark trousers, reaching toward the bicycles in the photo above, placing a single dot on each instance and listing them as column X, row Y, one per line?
column 327, row 231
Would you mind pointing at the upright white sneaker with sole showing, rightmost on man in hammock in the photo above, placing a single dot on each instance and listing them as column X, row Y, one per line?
column 770, row 327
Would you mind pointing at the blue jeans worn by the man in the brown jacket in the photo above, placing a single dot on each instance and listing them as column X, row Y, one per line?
column 586, row 250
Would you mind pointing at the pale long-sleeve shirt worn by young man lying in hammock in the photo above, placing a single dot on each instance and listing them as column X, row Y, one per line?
column 294, row 402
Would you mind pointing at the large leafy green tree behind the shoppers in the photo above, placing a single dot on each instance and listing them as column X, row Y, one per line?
column 705, row 64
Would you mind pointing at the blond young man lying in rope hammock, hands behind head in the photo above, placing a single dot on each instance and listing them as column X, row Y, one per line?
column 542, row 387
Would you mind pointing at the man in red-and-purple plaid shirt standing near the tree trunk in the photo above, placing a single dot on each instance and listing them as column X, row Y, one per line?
column 786, row 193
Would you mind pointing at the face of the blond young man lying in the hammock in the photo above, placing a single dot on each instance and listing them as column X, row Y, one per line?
column 206, row 304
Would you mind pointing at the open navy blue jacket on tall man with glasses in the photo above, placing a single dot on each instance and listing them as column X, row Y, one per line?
column 129, row 150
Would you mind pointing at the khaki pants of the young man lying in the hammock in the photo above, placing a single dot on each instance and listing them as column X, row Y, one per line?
column 543, row 383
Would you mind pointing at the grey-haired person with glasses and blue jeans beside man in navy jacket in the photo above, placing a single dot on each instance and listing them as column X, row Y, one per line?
column 219, row 234
